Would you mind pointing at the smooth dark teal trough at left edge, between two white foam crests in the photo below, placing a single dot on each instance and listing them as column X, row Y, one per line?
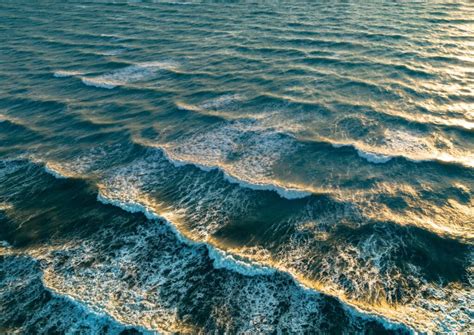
column 66, row 206
